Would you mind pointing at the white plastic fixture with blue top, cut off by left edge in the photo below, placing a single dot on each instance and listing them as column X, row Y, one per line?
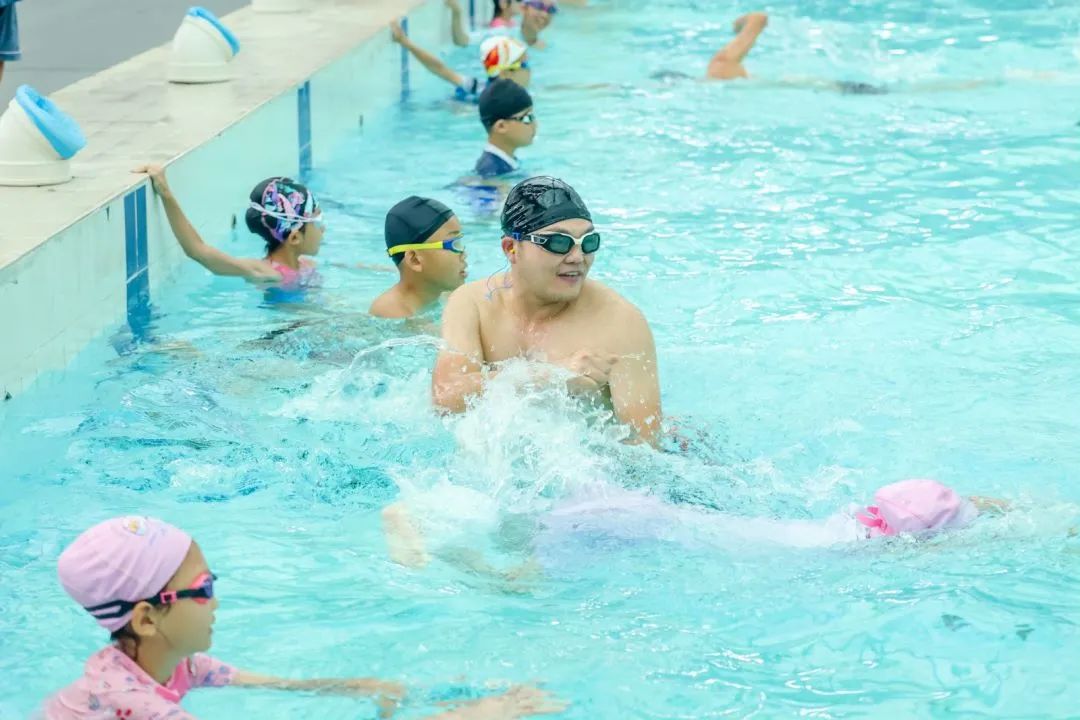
column 37, row 141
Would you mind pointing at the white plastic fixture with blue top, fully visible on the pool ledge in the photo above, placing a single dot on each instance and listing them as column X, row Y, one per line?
column 202, row 49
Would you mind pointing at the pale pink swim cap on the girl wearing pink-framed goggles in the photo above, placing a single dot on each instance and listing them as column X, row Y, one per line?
column 126, row 559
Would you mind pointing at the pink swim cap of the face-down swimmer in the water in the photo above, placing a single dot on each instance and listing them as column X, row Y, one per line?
column 916, row 506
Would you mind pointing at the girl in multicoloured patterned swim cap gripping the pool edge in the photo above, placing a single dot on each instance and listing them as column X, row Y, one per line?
column 281, row 211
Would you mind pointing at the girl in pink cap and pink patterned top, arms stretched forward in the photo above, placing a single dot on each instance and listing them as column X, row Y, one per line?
column 150, row 585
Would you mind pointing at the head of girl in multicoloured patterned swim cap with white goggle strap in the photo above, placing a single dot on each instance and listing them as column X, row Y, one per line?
column 285, row 212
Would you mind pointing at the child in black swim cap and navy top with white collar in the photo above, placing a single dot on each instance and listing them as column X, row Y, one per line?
column 506, row 112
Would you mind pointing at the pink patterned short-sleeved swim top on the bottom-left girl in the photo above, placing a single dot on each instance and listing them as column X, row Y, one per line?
column 114, row 687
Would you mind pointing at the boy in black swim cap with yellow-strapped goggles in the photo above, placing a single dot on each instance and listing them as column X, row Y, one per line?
column 426, row 242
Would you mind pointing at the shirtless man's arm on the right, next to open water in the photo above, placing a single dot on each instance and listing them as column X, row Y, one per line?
column 634, row 382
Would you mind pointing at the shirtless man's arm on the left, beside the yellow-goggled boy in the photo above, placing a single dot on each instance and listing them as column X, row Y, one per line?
column 460, row 371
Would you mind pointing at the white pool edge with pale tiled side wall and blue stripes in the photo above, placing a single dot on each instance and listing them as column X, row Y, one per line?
column 63, row 255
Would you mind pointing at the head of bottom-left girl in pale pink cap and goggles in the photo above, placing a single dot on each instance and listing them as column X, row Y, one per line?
column 144, row 581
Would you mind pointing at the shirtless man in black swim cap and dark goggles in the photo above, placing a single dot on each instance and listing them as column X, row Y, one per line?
column 548, row 310
